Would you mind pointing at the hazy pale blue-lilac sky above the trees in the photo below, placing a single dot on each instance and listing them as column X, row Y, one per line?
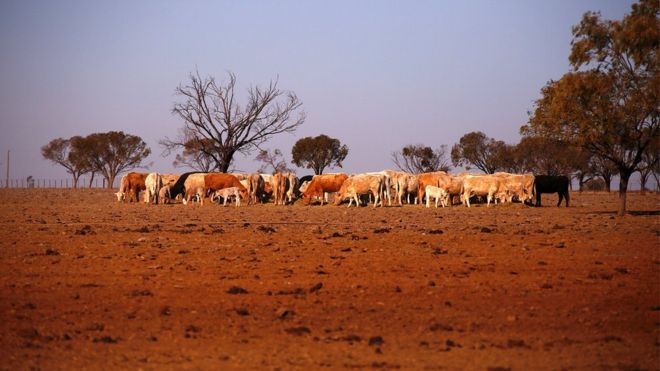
column 378, row 75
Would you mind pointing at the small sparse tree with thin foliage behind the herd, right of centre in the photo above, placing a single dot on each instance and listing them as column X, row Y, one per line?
column 417, row 158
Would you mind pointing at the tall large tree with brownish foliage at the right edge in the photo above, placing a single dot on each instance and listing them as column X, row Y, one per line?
column 608, row 103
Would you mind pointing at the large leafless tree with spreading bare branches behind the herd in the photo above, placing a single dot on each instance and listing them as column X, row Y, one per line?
column 213, row 117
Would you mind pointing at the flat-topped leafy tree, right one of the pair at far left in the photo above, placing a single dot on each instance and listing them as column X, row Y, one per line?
column 114, row 152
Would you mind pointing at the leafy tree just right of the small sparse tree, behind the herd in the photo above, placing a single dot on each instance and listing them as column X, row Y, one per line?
column 479, row 150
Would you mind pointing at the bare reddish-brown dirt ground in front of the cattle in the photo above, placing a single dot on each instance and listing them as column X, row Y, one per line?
column 89, row 283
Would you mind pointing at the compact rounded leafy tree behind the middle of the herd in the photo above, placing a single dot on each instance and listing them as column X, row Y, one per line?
column 319, row 152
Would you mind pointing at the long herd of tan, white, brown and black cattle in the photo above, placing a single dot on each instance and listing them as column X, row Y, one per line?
column 376, row 188
